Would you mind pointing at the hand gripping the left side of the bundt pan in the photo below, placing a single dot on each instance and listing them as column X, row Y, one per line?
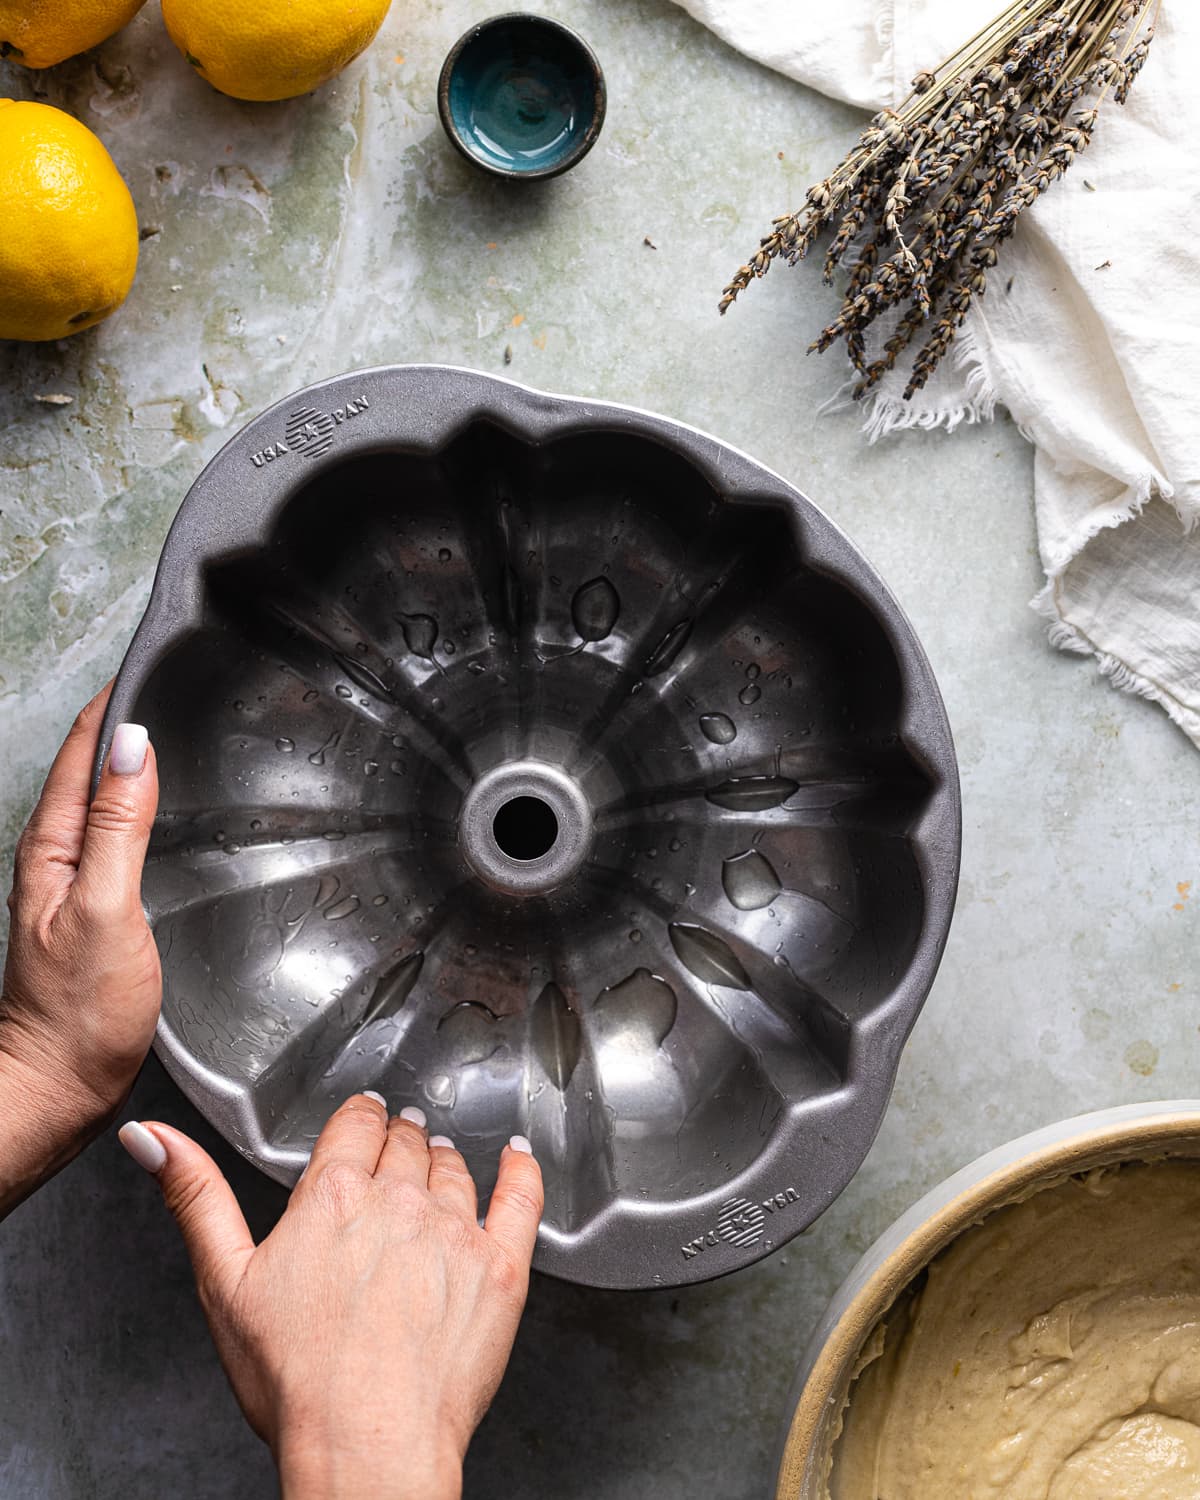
column 83, row 986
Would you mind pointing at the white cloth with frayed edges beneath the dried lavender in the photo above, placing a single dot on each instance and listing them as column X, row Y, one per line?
column 1094, row 347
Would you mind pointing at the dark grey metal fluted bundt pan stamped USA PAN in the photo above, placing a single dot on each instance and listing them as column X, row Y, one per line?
column 556, row 769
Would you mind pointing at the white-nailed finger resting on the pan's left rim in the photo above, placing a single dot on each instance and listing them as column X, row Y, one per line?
column 119, row 824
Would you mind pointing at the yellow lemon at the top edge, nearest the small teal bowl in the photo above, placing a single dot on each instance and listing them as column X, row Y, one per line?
column 272, row 49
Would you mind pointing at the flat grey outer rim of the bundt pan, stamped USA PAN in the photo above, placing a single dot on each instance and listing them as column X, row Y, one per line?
column 820, row 1144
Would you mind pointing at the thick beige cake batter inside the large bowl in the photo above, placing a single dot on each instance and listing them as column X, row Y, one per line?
column 1051, row 1354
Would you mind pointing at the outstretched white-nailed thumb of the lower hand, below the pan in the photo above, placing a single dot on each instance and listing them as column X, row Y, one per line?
column 194, row 1189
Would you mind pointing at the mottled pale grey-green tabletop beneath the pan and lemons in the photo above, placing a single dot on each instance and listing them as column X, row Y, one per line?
column 341, row 230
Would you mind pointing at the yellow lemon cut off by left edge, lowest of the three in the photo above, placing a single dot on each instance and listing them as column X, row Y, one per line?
column 70, row 247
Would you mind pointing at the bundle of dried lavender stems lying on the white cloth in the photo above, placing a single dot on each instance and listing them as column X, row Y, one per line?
column 923, row 202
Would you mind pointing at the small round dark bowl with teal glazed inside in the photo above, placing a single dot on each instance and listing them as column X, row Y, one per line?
column 523, row 97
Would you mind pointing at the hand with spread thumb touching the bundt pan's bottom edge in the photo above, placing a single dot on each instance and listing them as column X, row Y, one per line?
column 367, row 1336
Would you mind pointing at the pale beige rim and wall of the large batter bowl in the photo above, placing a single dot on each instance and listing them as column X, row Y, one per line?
column 1106, row 1138
